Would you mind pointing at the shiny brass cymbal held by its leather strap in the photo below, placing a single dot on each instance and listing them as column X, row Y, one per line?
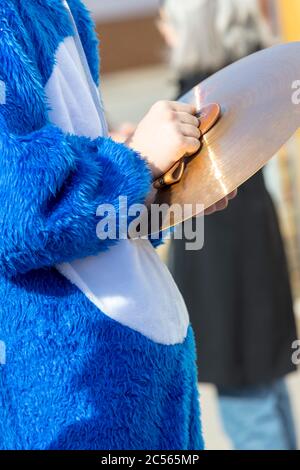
column 258, row 117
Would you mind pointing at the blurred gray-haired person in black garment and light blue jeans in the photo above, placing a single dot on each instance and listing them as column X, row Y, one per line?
column 237, row 288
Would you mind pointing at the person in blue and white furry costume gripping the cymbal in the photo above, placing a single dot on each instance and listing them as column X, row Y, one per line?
column 93, row 360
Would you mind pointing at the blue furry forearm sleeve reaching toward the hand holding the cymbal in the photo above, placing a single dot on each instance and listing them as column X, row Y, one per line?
column 50, row 187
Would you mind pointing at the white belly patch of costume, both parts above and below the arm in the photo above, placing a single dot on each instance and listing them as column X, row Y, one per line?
column 129, row 283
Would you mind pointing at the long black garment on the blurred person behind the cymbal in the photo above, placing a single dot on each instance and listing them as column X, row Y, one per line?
column 237, row 290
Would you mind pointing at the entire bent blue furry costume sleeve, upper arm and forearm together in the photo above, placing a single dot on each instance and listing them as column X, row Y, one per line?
column 51, row 183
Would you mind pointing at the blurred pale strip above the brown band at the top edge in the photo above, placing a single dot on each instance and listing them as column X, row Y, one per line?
column 115, row 9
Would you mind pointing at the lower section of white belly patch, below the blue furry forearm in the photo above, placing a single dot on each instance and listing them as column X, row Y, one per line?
column 131, row 285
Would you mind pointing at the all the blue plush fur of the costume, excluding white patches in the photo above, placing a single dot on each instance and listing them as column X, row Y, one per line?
column 73, row 378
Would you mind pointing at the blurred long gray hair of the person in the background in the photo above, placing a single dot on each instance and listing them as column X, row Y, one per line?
column 213, row 33
